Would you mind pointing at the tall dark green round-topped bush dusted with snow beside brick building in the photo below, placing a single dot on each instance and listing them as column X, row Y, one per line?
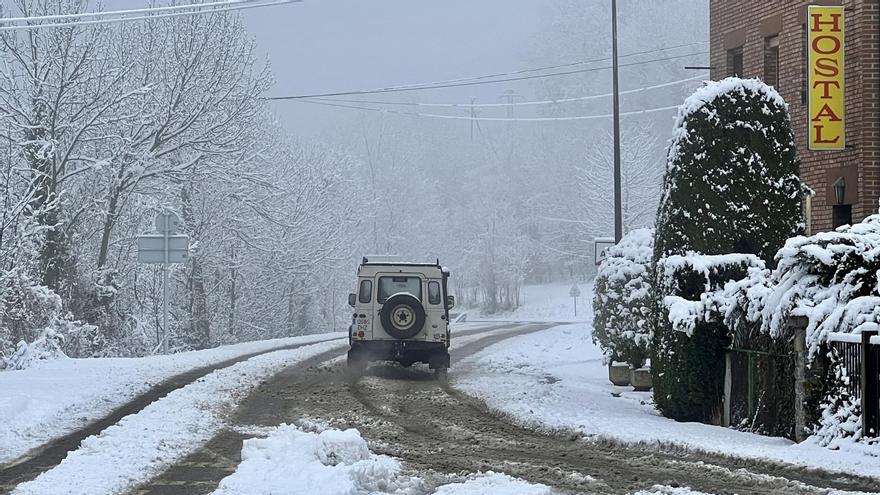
column 731, row 186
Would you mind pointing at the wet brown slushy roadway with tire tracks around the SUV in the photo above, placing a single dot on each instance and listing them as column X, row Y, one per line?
column 403, row 413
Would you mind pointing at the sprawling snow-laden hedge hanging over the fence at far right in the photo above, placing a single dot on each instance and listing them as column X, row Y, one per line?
column 832, row 279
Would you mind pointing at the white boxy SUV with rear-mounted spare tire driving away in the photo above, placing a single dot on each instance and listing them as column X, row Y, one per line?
column 401, row 314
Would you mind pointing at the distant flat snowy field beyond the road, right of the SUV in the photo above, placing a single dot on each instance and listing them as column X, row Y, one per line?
column 542, row 303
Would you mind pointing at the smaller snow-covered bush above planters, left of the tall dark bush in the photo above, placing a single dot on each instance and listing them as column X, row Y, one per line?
column 622, row 299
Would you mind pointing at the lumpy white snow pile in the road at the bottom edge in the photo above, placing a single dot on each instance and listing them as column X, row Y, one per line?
column 332, row 462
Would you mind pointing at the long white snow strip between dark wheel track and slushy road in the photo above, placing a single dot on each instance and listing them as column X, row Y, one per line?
column 164, row 431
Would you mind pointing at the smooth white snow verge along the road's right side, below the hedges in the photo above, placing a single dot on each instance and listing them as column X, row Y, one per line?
column 556, row 379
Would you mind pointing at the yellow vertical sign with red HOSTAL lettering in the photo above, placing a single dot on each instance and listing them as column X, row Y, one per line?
column 825, row 115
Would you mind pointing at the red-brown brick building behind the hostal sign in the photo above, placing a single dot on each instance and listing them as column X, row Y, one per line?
column 767, row 39
